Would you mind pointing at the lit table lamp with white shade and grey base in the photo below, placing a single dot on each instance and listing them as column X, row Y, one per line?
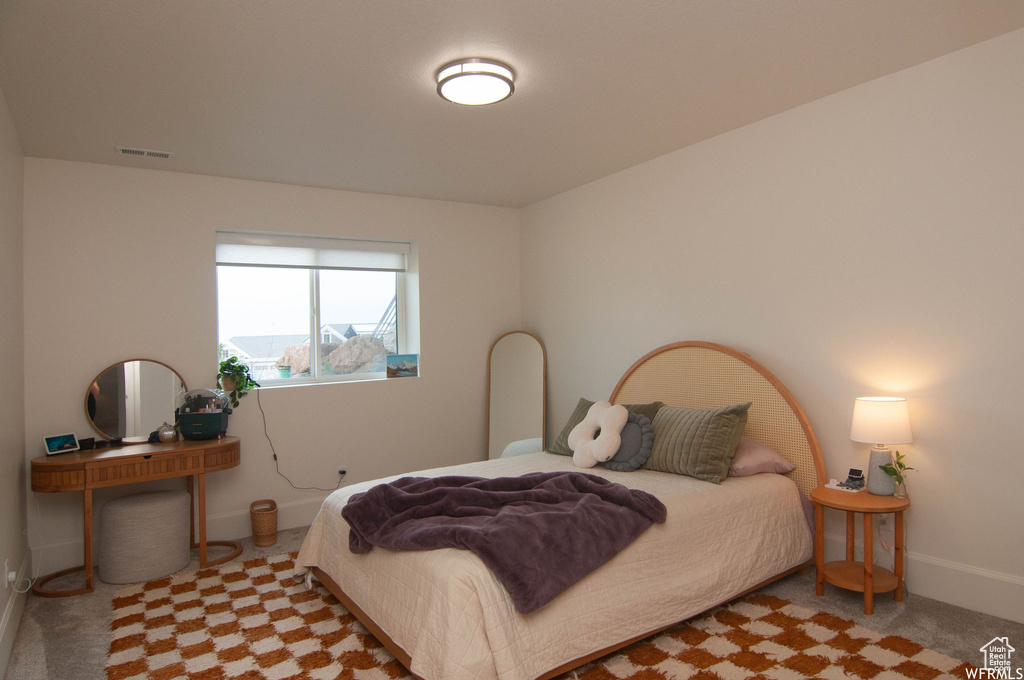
column 881, row 420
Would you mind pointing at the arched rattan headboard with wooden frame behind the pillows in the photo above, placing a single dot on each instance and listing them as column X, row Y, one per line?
column 702, row 375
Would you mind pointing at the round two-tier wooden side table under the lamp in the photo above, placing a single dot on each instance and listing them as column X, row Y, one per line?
column 862, row 577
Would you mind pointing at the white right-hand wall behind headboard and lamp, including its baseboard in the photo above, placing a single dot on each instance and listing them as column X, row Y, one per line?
column 867, row 243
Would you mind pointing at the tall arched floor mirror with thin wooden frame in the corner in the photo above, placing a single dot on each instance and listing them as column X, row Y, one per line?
column 518, row 368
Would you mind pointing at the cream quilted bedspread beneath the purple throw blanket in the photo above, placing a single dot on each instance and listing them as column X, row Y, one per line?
column 458, row 623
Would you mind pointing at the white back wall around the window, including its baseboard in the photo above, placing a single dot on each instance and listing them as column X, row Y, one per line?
column 124, row 259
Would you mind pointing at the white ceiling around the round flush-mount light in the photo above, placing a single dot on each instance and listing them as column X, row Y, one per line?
column 340, row 94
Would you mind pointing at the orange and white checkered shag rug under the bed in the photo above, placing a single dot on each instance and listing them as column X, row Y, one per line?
column 250, row 621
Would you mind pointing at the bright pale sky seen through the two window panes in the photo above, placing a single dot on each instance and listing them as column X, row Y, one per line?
column 276, row 302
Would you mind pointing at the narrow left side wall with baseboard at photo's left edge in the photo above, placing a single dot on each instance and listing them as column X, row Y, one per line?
column 13, row 477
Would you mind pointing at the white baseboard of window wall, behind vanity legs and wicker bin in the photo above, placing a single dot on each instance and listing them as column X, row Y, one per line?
column 229, row 526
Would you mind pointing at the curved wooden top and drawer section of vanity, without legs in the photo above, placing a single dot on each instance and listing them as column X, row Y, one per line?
column 124, row 465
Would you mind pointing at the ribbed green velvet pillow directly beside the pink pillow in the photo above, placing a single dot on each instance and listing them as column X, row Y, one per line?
column 699, row 443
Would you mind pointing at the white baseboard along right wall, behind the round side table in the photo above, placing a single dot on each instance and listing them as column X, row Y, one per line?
column 991, row 592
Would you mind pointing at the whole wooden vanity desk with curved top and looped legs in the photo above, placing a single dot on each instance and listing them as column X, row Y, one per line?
column 86, row 471
